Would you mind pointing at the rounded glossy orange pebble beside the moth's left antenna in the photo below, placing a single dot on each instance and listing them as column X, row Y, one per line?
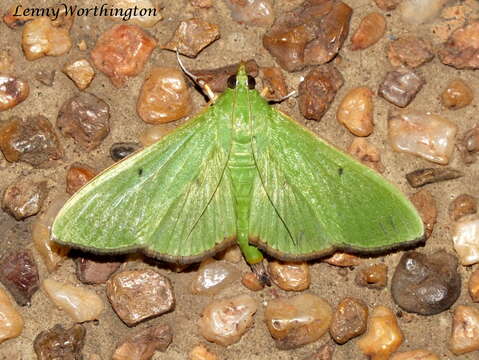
column 164, row 96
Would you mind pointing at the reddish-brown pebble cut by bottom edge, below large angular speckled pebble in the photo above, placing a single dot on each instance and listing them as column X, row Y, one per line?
column 142, row 344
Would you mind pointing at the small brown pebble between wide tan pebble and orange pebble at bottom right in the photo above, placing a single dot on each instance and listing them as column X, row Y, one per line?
column 349, row 320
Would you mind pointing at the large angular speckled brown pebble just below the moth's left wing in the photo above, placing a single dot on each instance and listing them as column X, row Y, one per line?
column 136, row 295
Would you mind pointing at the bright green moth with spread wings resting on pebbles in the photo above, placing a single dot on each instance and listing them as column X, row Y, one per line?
column 240, row 171
